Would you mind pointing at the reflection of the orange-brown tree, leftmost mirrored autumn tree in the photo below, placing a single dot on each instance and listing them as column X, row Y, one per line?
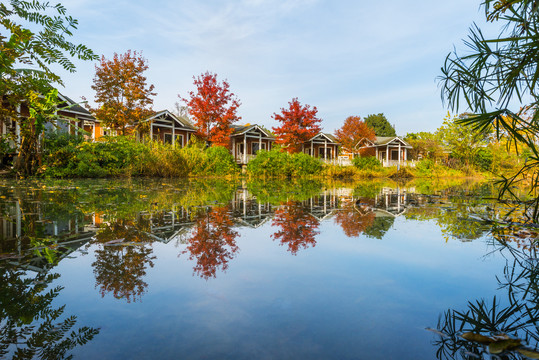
column 122, row 259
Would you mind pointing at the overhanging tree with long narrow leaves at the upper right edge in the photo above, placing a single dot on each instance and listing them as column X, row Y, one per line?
column 497, row 80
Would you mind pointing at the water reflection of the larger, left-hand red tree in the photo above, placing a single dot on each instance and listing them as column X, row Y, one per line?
column 213, row 242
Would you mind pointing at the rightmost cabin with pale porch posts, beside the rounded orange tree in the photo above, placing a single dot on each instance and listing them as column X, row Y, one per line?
column 390, row 150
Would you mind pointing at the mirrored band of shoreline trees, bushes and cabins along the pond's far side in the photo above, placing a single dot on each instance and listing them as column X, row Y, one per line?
column 119, row 223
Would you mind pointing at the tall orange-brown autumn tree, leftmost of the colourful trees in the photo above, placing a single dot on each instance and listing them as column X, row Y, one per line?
column 122, row 93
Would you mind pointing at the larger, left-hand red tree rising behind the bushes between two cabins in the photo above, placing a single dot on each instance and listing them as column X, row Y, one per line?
column 213, row 108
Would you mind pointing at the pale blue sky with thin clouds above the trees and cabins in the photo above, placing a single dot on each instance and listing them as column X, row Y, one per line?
column 344, row 57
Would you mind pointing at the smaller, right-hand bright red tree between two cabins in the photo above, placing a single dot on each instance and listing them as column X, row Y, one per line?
column 298, row 124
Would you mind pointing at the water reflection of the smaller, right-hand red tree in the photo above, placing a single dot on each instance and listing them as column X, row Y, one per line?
column 298, row 227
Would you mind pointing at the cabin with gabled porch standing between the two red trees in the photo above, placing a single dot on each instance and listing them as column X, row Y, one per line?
column 246, row 140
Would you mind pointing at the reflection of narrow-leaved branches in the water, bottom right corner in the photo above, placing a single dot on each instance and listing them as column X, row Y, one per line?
column 507, row 325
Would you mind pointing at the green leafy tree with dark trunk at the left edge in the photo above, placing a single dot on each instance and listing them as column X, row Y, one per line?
column 39, row 51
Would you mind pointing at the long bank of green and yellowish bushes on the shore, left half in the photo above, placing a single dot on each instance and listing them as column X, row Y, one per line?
column 124, row 156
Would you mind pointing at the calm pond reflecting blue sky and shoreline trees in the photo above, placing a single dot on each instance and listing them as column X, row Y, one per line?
column 218, row 269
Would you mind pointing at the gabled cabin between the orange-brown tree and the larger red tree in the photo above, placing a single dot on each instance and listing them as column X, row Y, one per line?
column 168, row 128
